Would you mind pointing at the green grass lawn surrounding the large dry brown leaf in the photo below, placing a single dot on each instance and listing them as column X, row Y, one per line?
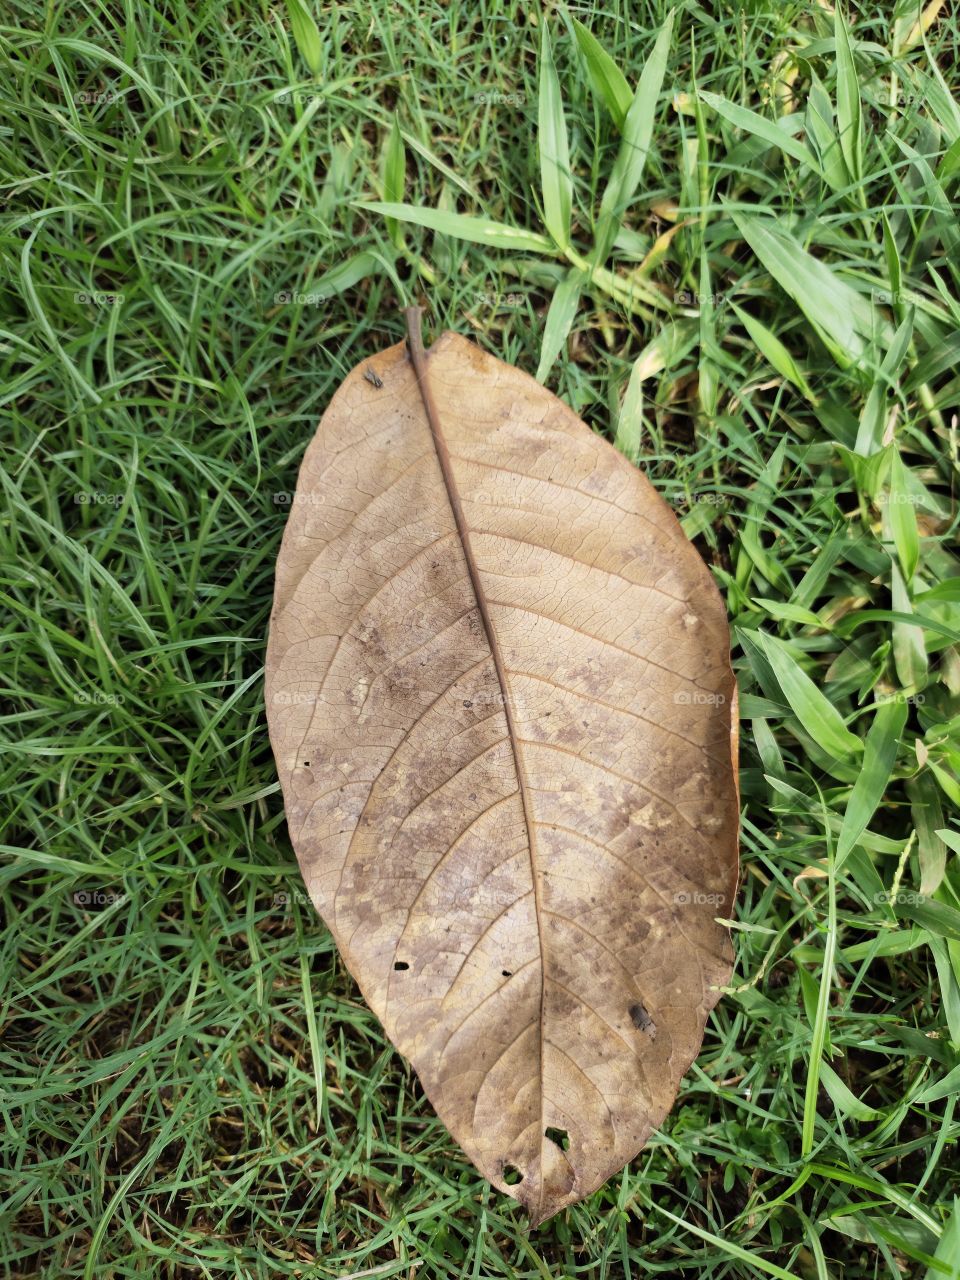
column 191, row 1086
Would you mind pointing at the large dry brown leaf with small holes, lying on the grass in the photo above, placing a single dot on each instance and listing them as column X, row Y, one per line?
column 504, row 715
